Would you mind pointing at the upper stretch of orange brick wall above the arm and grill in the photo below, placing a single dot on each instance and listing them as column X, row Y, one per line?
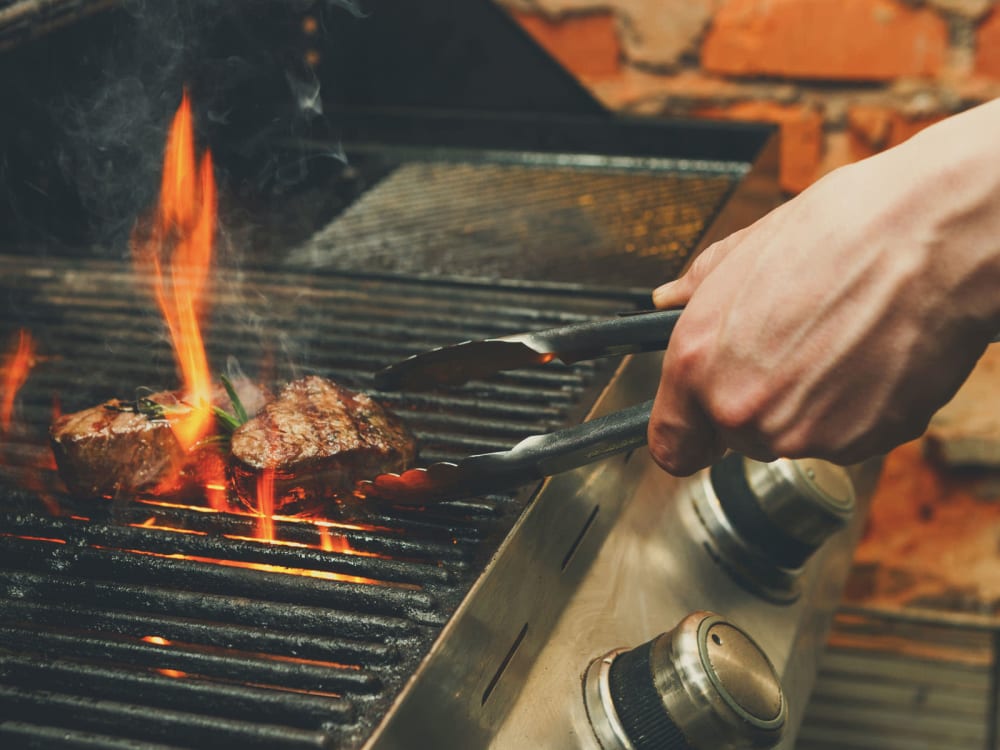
column 843, row 78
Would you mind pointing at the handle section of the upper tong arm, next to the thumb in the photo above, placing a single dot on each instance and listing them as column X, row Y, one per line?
column 626, row 334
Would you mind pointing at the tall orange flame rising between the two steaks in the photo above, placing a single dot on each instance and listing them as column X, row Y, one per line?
column 181, row 237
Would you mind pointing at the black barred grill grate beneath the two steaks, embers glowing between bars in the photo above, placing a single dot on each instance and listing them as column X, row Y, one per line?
column 171, row 625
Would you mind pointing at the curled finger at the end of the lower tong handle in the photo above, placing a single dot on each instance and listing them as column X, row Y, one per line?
column 682, row 439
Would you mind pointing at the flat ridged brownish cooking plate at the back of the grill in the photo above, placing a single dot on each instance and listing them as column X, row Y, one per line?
column 627, row 228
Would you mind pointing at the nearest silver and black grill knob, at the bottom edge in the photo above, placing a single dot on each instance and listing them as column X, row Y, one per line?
column 705, row 685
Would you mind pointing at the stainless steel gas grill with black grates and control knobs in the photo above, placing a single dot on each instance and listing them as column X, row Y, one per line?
column 491, row 203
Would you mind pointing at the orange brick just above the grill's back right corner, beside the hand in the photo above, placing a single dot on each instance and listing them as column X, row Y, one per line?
column 801, row 136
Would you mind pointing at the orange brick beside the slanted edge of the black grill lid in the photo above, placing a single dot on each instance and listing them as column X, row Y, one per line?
column 587, row 45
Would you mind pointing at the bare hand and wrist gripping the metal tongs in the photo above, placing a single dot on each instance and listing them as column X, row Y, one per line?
column 839, row 323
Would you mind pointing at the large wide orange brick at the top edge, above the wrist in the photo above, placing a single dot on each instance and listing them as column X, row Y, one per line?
column 873, row 40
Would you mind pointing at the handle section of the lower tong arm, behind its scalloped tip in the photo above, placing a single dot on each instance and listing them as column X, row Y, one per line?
column 540, row 456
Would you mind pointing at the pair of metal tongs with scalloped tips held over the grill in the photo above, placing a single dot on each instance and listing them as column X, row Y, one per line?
column 538, row 456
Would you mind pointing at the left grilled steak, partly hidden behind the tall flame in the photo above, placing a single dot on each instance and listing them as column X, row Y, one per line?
column 120, row 448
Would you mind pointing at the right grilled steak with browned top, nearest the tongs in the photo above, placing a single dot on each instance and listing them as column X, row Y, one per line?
column 319, row 439
